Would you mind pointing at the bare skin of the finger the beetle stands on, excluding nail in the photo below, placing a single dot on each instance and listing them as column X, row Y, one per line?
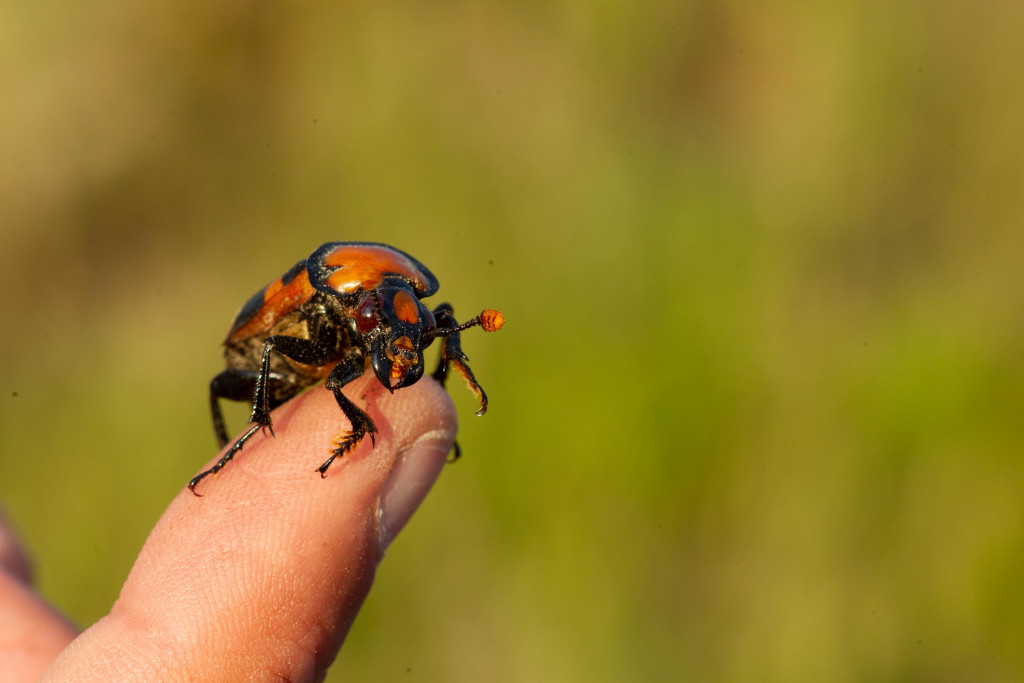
column 262, row 578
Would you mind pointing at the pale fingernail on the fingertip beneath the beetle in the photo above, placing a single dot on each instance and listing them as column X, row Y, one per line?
column 414, row 474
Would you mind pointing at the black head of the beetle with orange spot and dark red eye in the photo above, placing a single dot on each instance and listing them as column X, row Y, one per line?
column 393, row 322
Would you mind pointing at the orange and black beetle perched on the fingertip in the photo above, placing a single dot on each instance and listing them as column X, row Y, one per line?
column 349, row 307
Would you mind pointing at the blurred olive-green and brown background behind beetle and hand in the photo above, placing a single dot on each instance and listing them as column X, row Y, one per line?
column 756, row 414
